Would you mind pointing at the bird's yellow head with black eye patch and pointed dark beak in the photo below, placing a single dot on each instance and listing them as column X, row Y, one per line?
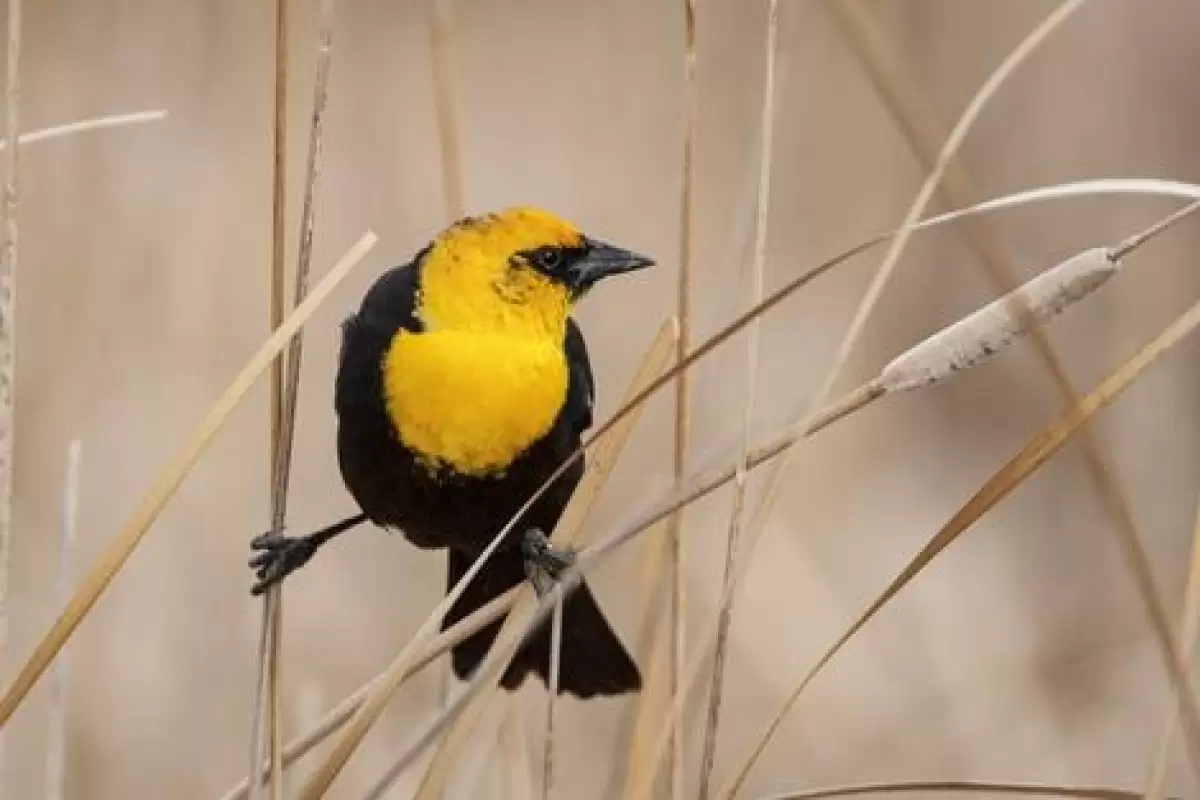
column 517, row 272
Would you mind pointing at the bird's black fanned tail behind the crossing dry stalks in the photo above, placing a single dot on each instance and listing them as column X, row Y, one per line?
column 593, row 660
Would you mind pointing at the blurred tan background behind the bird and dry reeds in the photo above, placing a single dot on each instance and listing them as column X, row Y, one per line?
column 1022, row 655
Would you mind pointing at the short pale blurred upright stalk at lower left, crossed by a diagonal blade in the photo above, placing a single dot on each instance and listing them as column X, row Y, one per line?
column 57, row 736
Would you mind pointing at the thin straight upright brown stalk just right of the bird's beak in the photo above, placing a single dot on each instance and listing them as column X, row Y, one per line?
column 677, row 630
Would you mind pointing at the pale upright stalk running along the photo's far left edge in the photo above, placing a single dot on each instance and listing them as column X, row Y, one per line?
column 9, row 329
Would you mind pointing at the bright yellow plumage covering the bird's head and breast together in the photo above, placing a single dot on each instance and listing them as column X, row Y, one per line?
column 488, row 377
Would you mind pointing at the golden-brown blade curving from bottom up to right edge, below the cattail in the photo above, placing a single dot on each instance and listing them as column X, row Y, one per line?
column 1039, row 452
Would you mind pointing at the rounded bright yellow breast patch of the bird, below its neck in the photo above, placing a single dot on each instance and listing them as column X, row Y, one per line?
column 473, row 401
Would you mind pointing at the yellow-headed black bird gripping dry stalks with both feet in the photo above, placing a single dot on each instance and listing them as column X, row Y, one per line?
column 464, row 383
